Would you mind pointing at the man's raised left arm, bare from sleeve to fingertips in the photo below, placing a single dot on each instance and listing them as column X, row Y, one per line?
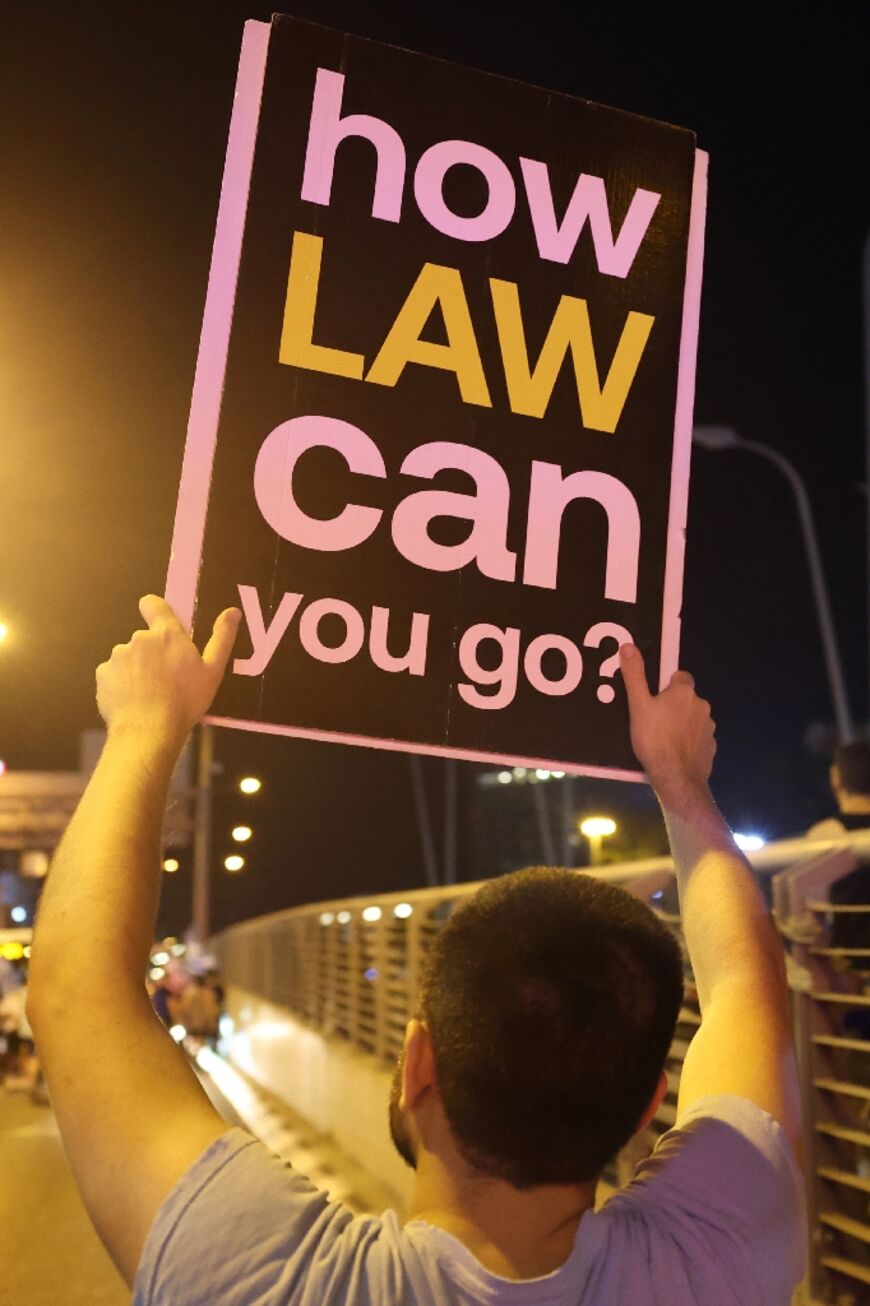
column 133, row 1115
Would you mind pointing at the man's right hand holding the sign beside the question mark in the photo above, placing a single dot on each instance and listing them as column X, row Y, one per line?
column 673, row 733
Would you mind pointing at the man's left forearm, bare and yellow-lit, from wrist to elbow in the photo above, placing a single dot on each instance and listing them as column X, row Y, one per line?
column 100, row 903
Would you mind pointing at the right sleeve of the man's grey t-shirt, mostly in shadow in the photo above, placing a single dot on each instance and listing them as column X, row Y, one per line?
column 724, row 1194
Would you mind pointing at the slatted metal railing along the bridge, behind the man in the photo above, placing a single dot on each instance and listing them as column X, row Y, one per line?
column 351, row 970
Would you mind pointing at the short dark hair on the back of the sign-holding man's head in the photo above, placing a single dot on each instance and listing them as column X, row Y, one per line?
column 552, row 1001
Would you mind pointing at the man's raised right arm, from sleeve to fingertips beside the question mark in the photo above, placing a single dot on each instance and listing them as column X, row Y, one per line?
column 744, row 1045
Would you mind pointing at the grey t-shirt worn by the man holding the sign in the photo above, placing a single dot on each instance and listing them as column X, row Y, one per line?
column 714, row 1218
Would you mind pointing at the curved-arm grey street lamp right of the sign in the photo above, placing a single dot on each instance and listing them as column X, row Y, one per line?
column 727, row 438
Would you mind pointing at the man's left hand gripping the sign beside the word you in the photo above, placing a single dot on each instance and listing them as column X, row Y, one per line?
column 159, row 680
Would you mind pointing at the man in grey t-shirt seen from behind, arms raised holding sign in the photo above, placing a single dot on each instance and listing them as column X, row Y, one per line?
column 538, row 1051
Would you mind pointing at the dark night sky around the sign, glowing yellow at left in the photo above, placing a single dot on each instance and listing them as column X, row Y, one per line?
column 113, row 130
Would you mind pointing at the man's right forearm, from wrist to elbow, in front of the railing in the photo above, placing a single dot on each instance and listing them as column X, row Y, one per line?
column 727, row 927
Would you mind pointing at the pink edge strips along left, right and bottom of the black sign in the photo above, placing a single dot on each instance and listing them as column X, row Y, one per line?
column 208, row 389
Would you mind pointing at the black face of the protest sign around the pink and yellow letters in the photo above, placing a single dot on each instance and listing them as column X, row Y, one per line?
column 369, row 268
